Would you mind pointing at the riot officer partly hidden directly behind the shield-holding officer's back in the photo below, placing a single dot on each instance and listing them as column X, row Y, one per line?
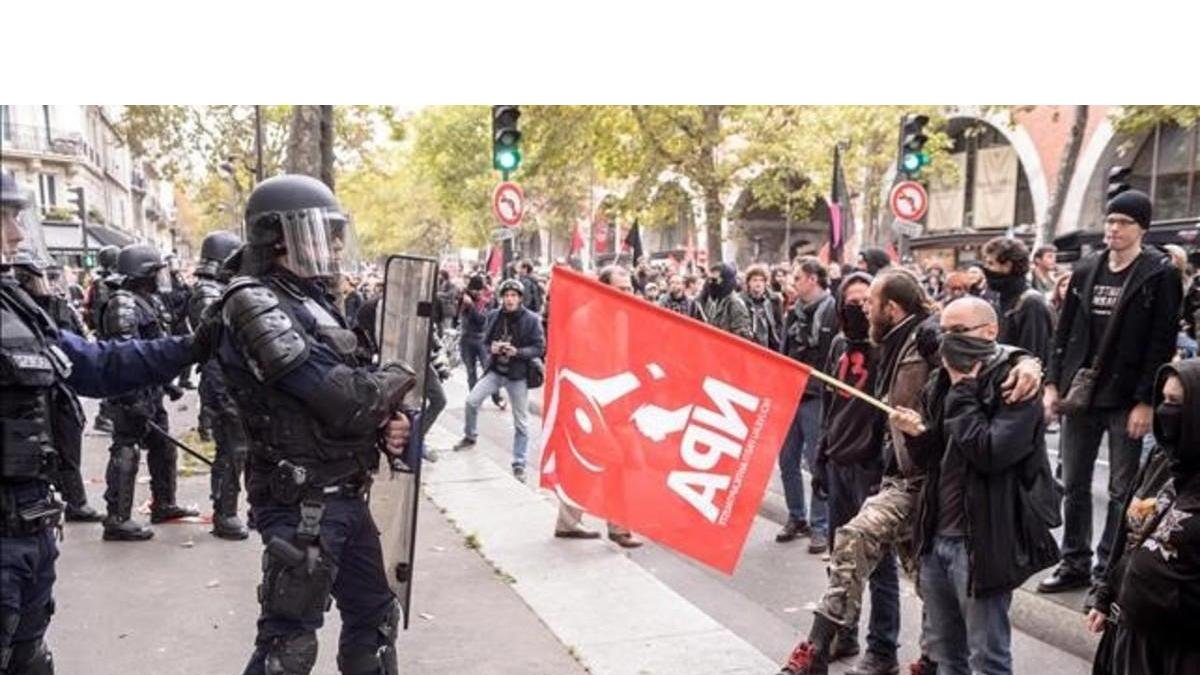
column 217, row 404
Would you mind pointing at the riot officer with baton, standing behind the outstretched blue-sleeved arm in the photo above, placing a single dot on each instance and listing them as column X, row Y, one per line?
column 140, row 419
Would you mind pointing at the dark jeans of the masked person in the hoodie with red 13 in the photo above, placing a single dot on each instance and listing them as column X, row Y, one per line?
column 849, row 488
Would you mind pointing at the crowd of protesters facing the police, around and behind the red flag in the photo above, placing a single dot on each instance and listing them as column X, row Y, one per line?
column 958, row 488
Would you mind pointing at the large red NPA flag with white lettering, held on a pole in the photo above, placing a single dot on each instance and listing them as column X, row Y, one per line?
column 661, row 423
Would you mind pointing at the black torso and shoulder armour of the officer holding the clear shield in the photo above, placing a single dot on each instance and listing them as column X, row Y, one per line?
column 291, row 457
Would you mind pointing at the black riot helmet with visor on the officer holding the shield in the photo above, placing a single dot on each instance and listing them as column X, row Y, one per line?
column 299, row 218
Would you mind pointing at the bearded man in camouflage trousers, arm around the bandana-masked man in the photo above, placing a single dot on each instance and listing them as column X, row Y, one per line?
column 903, row 328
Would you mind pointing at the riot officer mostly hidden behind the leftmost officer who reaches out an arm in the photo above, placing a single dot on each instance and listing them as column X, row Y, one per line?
column 68, row 416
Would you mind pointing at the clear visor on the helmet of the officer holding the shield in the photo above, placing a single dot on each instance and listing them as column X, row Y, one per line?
column 320, row 243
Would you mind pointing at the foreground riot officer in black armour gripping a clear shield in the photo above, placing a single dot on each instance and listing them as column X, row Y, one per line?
column 317, row 417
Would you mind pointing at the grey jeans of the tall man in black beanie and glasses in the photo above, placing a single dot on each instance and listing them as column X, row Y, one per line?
column 1082, row 437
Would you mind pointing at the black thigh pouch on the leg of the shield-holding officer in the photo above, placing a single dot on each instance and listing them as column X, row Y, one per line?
column 297, row 582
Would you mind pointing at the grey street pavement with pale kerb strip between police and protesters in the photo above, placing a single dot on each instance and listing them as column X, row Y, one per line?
column 495, row 593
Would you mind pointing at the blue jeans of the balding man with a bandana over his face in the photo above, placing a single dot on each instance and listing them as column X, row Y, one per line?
column 964, row 635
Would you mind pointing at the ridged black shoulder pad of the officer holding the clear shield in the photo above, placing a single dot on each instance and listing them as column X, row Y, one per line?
column 266, row 334
